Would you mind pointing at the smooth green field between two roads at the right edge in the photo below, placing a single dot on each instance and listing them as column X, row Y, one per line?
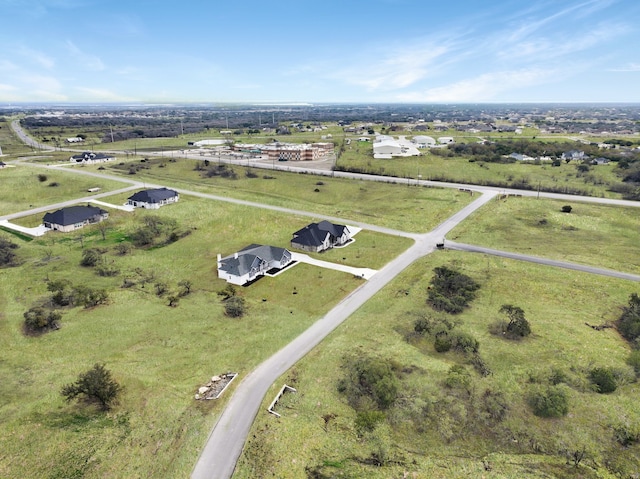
column 597, row 235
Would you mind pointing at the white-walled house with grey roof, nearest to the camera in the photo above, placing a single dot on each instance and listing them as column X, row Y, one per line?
column 252, row 262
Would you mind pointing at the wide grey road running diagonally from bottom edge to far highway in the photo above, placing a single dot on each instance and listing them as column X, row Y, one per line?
column 224, row 446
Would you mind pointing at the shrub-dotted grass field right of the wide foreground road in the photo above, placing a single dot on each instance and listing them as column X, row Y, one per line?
column 316, row 433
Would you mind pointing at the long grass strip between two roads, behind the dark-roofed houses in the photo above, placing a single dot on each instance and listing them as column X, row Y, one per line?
column 415, row 209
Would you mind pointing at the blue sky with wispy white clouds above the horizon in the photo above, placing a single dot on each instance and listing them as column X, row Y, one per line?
column 453, row 51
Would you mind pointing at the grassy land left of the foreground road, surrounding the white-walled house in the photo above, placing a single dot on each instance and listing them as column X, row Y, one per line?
column 159, row 354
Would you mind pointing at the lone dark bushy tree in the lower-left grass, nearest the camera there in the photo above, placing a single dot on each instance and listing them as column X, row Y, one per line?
column 95, row 385
